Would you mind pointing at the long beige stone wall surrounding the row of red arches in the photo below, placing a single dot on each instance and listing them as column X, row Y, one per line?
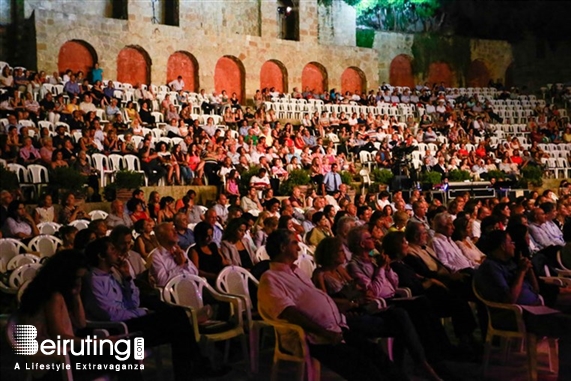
column 202, row 37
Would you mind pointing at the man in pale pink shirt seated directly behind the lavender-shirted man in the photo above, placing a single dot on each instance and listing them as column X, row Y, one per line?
column 169, row 259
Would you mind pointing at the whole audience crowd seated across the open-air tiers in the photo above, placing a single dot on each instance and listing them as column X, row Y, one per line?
column 368, row 250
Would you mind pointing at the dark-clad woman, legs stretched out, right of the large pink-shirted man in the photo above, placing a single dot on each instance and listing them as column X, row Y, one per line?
column 363, row 314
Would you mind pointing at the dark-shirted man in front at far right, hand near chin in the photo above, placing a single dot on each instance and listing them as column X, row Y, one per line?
column 500, row 279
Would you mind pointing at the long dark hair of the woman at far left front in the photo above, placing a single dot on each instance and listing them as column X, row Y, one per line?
column 61, row 274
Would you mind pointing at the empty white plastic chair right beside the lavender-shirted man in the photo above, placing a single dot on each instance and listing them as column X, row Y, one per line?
column 186, row 291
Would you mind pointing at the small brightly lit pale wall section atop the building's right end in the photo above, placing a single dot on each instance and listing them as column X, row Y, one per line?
column 337, row 24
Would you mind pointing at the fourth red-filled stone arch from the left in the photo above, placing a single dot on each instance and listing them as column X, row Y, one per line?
column 230, row 75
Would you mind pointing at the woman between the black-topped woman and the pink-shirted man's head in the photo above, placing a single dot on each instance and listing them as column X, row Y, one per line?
column 234, row 248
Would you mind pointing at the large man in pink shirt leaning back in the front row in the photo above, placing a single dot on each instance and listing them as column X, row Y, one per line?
column 286, row 293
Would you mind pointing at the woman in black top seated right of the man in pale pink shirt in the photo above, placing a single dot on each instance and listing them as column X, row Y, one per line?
column 205, row 255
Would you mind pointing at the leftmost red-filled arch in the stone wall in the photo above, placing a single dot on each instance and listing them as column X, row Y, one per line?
column 76, row 55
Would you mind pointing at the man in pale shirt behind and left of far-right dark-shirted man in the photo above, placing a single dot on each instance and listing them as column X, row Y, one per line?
column 445, row 248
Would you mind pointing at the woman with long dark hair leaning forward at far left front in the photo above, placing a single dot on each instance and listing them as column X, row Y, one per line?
column 52, row 303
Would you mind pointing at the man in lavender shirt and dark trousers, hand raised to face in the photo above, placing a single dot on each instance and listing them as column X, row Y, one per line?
column 114, row 297
